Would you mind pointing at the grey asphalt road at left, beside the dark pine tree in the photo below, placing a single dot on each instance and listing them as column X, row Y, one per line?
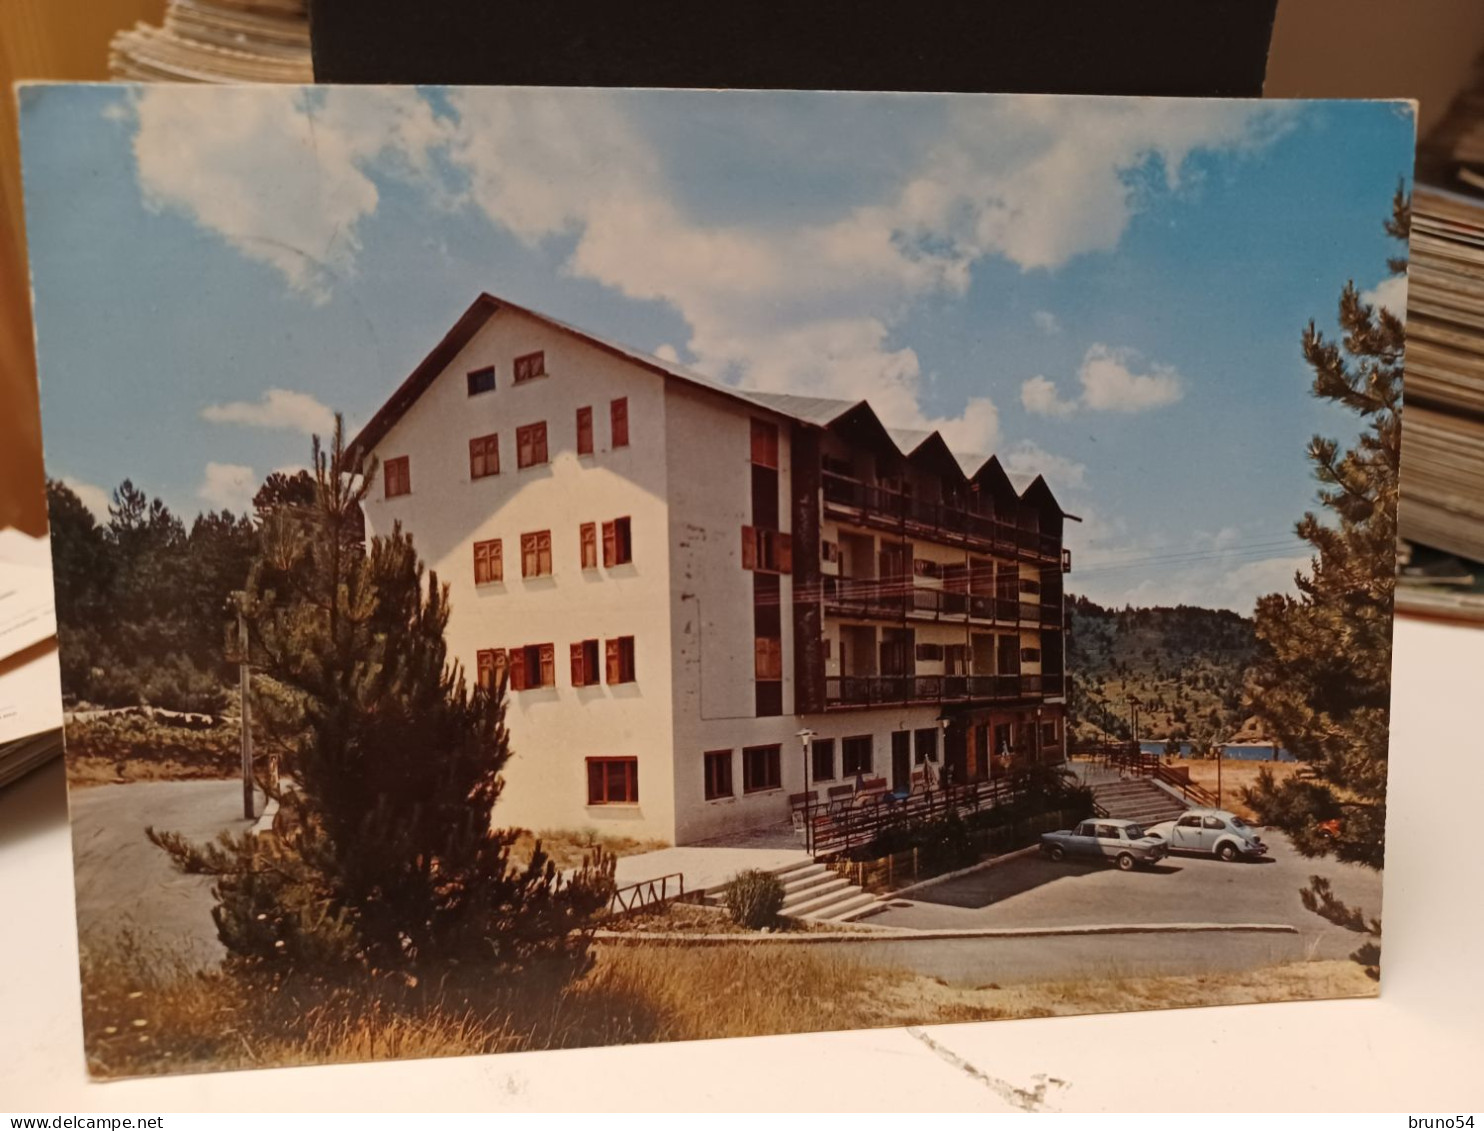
column 128, row 885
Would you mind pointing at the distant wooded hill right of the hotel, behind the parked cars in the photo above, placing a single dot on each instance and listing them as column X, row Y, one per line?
column 1186, row 666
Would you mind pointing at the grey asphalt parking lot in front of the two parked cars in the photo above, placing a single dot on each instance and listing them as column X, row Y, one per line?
column 1035, row 893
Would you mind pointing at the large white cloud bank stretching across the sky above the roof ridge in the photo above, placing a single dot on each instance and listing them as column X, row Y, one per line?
column 786, row 305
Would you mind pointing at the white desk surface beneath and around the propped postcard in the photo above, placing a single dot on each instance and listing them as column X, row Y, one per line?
column 1416, row 1049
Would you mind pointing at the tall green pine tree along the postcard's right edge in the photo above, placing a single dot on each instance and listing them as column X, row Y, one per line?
column 1323, row 681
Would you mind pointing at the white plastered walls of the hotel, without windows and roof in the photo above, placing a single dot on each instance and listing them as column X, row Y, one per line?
column 686, row 485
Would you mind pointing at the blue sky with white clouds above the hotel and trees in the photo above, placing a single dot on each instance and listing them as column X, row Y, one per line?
column 1105, row 292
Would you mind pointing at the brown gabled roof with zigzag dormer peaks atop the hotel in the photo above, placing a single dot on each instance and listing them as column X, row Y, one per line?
column 817, row 412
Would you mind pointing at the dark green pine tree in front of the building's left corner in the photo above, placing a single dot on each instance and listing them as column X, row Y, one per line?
column 384, row 856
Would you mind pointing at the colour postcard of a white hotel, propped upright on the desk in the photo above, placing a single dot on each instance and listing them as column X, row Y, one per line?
column 542, row 569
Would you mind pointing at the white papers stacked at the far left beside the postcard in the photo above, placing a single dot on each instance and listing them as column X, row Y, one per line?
column 30, row 675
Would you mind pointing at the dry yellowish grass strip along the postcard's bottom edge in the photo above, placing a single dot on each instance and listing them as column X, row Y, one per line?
column 152, row 1016
